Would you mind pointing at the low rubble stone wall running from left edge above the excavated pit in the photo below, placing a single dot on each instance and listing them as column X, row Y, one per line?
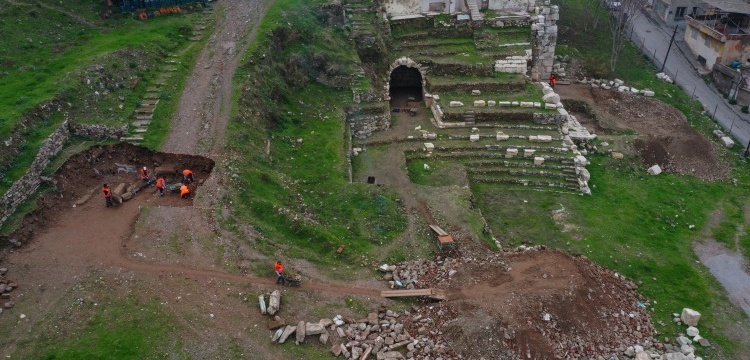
column 28, row 184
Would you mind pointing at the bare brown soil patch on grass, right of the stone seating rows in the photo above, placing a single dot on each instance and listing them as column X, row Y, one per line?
column 664, row 136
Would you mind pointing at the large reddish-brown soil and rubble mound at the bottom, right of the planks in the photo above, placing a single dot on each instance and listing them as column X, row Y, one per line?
column 537, row 304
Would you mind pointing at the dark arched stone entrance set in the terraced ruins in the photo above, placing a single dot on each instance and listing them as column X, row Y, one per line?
column 406, row 82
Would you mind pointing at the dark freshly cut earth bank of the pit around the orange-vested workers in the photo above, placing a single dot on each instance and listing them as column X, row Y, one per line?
column 80, row 178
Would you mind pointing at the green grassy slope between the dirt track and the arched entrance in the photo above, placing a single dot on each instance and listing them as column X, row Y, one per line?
column 298, row 195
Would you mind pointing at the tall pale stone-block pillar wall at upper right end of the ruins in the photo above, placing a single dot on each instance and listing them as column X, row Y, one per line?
column 544, row 32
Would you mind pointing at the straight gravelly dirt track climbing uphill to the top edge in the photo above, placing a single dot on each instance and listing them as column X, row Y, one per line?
column 200, row 123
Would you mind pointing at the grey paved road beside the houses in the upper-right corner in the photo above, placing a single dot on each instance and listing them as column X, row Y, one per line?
column 649, row 35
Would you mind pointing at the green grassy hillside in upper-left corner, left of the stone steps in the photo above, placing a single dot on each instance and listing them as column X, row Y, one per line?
column 47, row 53
